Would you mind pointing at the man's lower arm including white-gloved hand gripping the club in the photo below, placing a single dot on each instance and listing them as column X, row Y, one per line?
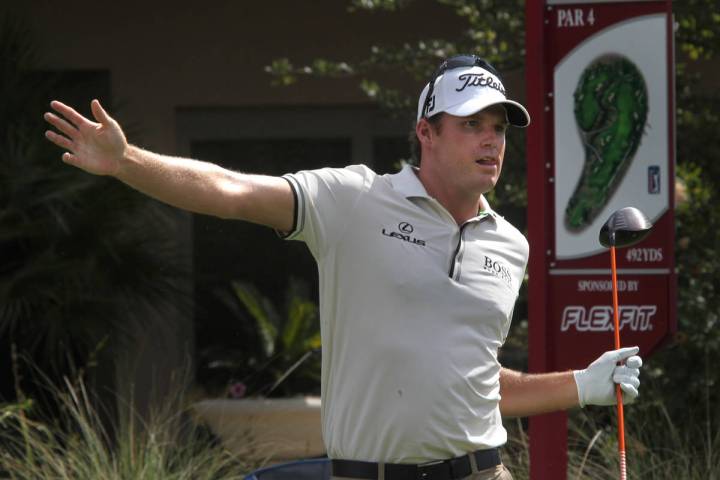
column 525, row 394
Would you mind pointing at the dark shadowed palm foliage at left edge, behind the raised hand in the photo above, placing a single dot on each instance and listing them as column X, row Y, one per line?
column 84, row 260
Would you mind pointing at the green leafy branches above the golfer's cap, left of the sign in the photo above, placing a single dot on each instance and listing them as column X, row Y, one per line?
column 492, row 28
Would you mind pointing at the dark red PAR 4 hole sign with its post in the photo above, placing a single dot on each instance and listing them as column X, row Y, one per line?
column 600, row 83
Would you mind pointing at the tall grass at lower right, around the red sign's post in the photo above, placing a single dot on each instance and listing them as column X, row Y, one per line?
column 658, row 447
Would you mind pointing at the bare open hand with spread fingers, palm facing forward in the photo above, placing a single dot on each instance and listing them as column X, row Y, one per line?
column 96, row 147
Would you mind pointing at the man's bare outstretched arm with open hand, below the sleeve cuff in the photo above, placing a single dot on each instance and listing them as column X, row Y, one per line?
column 100, row 147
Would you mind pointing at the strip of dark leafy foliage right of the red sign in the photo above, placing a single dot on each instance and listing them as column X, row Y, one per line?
column 683, row 373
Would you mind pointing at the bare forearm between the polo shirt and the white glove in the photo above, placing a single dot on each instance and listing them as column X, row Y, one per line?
column 524, row 394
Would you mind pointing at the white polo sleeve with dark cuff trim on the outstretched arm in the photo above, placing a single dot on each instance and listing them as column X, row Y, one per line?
column 324, row 204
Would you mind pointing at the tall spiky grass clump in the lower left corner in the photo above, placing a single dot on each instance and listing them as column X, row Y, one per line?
column 78, row 445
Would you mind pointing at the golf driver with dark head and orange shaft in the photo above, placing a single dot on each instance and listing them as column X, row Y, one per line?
column 625, row 227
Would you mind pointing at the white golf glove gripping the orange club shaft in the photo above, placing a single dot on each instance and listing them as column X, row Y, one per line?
column 596, row 383
